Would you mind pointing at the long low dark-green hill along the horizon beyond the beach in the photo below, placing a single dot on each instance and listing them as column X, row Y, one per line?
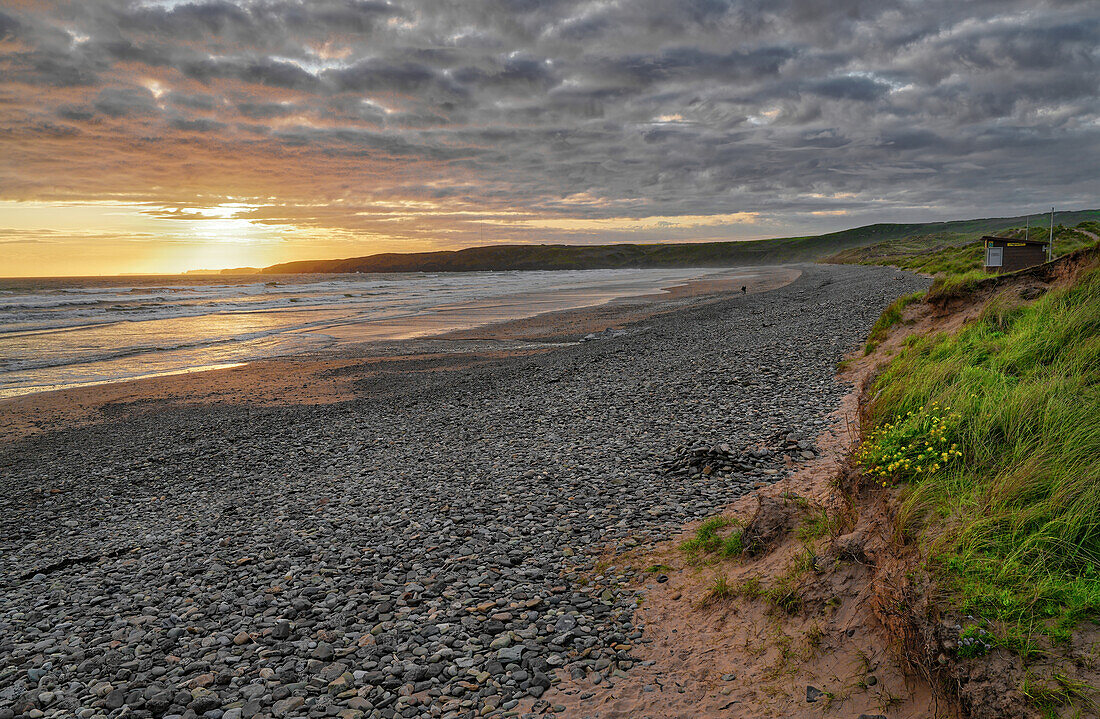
column 702, row 255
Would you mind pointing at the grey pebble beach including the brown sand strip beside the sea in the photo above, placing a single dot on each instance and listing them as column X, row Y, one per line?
column 415, row 529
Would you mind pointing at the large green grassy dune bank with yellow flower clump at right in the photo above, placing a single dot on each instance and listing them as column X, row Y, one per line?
column 1011, row 517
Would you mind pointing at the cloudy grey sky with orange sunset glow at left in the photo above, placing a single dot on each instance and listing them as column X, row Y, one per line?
column 168, row 136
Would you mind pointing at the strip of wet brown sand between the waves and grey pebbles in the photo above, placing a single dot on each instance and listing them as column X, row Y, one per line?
column 324, row 377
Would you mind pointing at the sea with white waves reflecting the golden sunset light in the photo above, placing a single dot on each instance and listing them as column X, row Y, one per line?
column 71, row 333
